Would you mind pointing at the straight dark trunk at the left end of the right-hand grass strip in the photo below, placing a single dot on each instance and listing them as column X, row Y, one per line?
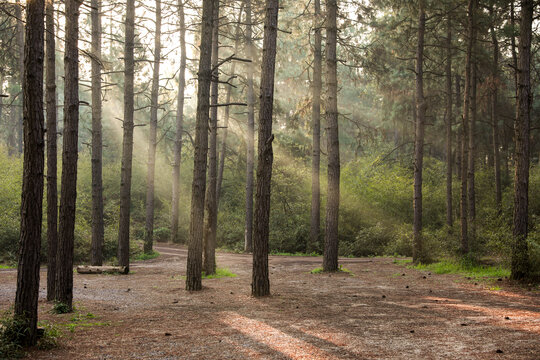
column 421, row 108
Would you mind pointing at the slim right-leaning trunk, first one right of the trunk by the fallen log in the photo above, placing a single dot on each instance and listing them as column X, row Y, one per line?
column 152, row 141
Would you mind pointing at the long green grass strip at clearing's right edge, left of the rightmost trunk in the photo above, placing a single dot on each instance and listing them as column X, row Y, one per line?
column 464, row 268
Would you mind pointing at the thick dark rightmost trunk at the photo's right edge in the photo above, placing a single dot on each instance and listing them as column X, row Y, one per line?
column 520, row 253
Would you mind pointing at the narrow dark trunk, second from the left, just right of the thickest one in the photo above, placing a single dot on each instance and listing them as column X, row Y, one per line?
column 52, row 191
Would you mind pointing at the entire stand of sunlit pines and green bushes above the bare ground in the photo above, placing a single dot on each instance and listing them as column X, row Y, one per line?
column 350, row 128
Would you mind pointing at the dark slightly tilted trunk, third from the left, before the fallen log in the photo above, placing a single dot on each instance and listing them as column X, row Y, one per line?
column 68, row 193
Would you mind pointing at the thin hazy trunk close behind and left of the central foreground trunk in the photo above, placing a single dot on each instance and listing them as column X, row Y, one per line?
column 248, row 236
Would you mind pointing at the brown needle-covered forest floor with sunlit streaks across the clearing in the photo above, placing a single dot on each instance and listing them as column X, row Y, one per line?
column 381, row 310
